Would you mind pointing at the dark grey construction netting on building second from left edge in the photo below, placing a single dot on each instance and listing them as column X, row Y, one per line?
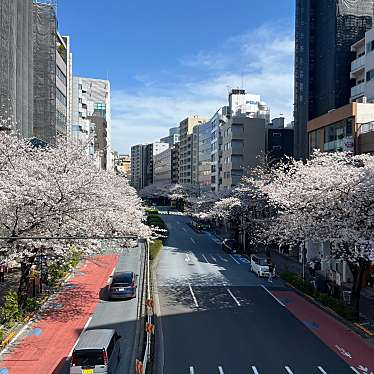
column 44, row 43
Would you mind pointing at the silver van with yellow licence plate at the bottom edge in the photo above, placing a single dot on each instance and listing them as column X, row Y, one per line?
column 97, row 351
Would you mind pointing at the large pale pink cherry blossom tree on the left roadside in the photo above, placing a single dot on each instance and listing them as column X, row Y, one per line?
column 58, row 192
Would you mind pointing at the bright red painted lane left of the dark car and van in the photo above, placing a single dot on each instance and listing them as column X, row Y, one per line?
column 53, row 337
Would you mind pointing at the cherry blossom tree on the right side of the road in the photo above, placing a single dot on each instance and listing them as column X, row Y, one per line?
column 329, row 198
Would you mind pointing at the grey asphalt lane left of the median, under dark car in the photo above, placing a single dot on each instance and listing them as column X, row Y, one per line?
column 120, row 314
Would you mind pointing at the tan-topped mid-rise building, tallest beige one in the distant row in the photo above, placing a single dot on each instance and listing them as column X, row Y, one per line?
column 185, row 147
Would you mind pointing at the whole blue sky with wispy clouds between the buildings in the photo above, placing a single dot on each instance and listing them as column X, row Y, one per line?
column 170, row 59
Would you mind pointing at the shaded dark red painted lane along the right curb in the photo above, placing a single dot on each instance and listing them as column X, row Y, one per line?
column 348, row 345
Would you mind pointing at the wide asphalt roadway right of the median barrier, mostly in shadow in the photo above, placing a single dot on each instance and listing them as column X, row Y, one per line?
column 217, row 317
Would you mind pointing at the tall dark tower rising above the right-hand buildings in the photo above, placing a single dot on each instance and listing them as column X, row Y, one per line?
column 324, row 33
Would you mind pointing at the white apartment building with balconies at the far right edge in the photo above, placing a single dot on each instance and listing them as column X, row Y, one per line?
column 362, row 69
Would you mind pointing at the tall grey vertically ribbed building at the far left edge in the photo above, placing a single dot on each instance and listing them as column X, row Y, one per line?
column 16, row 65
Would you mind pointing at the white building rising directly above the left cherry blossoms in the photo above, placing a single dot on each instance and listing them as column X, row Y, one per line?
column 92, row 96
